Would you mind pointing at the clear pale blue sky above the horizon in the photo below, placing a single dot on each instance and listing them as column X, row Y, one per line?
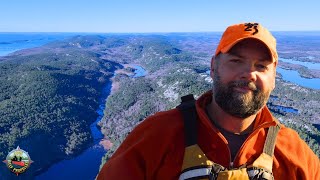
column 155, row 15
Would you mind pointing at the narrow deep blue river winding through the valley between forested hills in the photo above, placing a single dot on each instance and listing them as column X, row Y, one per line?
column 86, row 165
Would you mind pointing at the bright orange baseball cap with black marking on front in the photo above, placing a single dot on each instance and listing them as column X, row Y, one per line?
column 235, row 33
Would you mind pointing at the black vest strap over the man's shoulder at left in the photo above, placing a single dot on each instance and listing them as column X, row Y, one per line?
column 189, row 113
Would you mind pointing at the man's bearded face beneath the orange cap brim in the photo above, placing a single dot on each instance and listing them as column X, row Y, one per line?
column 243, row 78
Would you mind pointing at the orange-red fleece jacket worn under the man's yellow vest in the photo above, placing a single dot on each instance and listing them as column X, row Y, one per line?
column 155, row 148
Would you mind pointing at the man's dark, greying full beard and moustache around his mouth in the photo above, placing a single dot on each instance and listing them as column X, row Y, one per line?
column 235, row 103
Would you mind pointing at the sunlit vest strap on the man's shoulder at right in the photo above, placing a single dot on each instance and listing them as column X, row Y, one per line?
column 270, row 142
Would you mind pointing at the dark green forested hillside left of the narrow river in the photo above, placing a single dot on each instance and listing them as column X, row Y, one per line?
column 48, row 99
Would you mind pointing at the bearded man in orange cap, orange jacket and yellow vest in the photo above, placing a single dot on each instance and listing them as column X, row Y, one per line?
column 228, row 133
